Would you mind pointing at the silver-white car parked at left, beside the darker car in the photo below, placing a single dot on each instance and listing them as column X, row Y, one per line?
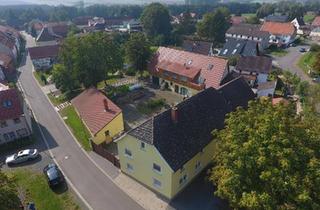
column 22, row 156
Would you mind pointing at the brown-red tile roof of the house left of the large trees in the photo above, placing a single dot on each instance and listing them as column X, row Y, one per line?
column 44, row 51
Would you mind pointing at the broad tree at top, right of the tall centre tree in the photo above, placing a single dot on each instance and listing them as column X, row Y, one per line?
column 214, row 25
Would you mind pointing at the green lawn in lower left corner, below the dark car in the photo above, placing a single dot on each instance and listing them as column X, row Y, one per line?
column 36, row 189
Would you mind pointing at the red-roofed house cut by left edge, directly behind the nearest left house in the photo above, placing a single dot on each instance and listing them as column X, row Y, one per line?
column 7, row 67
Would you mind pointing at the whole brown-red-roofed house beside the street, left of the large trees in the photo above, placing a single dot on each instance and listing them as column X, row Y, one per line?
column 44, row 57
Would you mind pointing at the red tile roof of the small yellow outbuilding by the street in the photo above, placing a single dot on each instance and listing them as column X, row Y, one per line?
column 90, row 106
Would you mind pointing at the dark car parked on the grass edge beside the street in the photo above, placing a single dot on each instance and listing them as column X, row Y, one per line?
column 53, row 175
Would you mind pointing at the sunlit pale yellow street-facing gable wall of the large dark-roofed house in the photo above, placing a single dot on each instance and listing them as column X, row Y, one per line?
column 142, row 162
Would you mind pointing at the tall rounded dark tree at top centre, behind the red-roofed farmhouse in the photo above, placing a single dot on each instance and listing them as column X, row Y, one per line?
column 155, row 19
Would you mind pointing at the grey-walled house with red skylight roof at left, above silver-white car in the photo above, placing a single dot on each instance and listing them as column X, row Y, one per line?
column 15, row 119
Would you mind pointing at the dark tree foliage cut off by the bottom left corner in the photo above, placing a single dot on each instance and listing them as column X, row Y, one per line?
column 8, row 194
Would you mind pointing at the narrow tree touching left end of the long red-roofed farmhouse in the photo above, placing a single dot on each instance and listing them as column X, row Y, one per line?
column 138, row 51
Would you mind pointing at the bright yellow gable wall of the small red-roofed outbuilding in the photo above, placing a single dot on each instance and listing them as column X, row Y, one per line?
column 114, row 127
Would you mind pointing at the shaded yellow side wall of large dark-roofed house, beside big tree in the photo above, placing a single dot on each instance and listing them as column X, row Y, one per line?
column 190, row 170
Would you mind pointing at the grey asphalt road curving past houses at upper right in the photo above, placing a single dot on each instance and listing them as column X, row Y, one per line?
column 289, row 62
